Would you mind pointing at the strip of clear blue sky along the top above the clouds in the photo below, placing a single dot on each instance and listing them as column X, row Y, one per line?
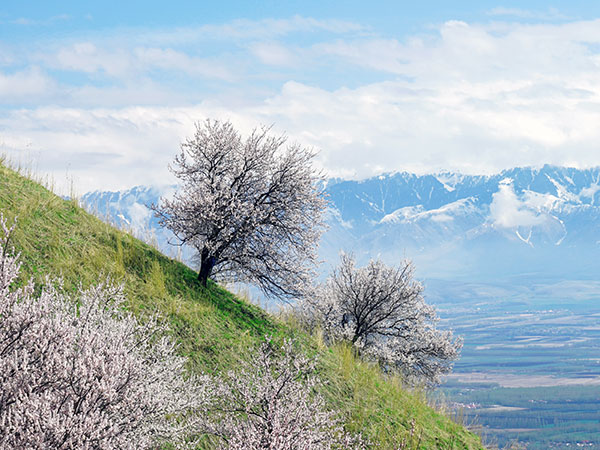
column 391, row 17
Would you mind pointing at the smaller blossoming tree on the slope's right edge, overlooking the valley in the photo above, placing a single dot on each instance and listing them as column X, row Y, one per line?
column 381, row 310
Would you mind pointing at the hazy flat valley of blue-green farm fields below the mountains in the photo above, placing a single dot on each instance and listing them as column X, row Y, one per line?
column 530, row 365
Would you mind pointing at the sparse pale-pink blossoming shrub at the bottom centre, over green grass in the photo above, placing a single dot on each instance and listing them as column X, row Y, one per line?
column 271, row 403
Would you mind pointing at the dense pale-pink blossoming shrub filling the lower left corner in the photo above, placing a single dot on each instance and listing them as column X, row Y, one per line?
column 79, row 372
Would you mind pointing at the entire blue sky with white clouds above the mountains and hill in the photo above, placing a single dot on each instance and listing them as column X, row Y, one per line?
column 104, row 92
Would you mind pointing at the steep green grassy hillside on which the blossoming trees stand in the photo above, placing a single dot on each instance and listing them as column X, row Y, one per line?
column 214, row 328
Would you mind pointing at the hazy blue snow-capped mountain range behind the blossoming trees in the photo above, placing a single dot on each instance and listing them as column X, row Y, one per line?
column 521, row 221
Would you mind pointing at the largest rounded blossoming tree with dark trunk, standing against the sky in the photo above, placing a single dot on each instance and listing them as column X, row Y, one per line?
column 249, row 208
